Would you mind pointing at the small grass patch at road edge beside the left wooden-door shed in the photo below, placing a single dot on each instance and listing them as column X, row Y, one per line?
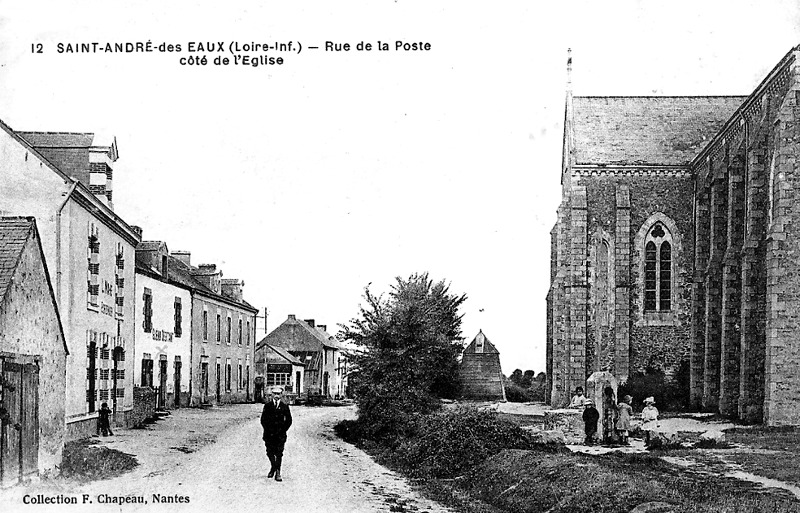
column 85, row 461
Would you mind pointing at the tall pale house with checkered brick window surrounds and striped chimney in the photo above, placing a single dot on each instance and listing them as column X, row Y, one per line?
column 64, row 181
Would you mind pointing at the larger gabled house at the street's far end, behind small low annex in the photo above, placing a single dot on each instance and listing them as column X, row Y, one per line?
column 312, row 345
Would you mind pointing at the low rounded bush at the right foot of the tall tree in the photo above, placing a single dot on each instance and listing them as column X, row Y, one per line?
column 448, row 443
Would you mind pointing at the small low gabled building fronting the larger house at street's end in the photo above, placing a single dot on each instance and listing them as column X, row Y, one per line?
column 278, row 368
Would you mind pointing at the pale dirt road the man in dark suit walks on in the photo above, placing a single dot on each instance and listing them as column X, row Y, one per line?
column 215, row 459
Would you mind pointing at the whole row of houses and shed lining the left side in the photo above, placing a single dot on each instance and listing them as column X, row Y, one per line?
column 91, row 313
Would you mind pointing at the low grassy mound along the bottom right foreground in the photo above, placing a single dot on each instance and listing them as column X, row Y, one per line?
column 530, row 481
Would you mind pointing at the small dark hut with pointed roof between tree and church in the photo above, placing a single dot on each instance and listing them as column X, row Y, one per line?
column 481, row 375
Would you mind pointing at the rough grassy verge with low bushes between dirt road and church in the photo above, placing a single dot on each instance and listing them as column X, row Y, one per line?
column 534, row 478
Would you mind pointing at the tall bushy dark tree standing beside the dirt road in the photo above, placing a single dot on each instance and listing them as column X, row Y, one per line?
column 409, row 346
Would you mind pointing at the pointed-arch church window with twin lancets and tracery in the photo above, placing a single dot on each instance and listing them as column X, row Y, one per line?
column 658, row 270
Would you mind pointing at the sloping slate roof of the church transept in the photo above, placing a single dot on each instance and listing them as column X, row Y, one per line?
column 661, row 130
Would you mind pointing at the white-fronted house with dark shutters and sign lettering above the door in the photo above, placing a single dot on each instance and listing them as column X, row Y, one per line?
column 163, row 333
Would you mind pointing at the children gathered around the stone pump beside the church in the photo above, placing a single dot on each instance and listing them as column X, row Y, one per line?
column 616, row 417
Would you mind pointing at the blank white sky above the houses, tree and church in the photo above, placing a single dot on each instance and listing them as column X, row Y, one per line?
column 339, row 170
